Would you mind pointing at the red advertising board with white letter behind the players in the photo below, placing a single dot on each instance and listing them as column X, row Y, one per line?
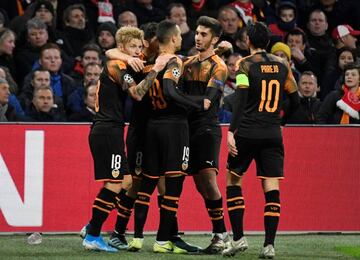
column 320, row 192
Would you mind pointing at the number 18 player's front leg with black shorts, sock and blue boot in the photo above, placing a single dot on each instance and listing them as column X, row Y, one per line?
column 110, row 166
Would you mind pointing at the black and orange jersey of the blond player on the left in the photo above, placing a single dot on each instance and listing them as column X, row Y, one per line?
column 110, row 96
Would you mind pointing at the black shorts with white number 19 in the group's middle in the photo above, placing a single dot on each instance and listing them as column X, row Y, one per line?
column 167, row 148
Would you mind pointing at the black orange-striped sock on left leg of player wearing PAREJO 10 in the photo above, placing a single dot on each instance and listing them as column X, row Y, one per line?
column 236, row 208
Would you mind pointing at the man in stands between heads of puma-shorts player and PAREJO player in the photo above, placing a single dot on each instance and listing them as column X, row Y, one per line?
column 229, row 20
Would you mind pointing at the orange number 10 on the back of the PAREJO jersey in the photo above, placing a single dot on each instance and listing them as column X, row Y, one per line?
column 270, row 92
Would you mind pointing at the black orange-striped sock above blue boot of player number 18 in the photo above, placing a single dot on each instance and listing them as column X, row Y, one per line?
column 102, row 206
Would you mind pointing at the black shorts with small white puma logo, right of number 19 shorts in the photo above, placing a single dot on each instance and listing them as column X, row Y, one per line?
column 204, row 149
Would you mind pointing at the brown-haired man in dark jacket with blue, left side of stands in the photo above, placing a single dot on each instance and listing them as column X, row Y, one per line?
column 50, row 59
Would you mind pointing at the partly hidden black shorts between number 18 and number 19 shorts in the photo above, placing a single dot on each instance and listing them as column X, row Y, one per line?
column 135, row 144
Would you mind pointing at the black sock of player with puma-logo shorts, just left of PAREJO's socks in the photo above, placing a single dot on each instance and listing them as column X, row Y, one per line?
column 216, row 214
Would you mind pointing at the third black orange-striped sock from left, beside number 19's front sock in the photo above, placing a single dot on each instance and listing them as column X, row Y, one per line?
column 142, row 203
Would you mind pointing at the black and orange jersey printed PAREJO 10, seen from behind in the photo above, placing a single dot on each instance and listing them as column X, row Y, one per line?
column 268, row 78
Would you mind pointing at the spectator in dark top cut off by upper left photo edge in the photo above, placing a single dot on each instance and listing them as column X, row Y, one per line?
column 7, row 46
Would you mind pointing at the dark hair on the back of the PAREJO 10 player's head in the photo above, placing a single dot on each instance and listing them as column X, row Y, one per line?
column 259, row 34
